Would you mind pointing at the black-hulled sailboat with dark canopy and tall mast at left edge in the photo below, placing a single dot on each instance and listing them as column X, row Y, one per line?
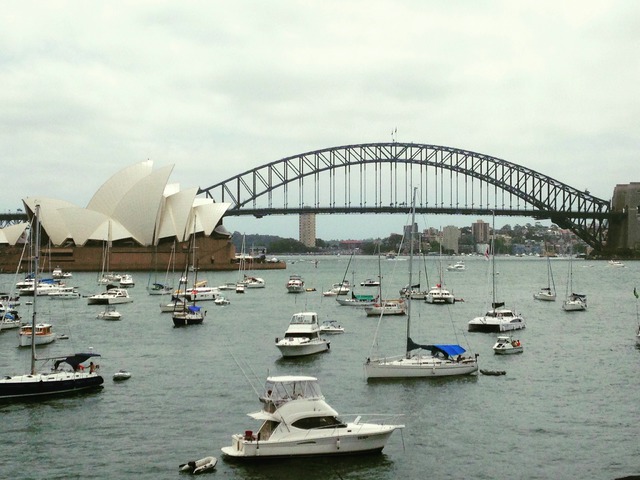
column 67, row 375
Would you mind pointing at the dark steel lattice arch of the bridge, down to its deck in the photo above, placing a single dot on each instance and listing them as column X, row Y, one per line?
column 380, row 178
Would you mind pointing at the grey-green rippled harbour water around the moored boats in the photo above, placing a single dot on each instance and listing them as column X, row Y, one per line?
column 567, row 407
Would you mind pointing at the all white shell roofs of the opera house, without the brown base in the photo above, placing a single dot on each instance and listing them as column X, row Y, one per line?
column 136, row 203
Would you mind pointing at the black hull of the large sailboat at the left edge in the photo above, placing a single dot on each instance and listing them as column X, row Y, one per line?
column 40, row 385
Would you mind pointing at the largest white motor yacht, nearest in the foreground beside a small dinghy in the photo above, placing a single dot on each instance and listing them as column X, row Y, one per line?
column 297, row 421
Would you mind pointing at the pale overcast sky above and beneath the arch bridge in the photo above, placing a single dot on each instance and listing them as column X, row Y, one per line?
column 215, row 88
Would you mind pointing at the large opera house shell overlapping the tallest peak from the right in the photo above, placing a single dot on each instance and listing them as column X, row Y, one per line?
column 139, row 208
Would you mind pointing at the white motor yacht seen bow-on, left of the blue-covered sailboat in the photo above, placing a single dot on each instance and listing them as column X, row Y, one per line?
column 302, row 337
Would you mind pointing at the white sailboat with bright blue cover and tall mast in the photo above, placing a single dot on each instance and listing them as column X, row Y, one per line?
column 421, row 361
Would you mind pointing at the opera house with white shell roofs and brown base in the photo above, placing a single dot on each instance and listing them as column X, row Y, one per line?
column 136, row 220
